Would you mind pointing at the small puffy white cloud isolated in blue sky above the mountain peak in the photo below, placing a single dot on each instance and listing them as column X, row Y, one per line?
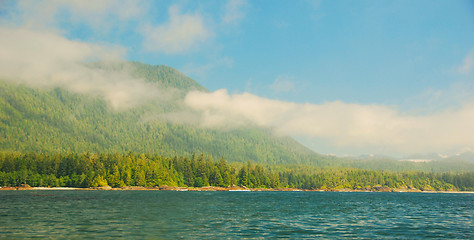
column 183, row 32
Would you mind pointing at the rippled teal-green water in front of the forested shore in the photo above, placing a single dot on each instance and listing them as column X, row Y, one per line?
column 224, row 215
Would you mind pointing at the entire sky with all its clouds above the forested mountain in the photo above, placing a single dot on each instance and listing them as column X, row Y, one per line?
column 342, row 77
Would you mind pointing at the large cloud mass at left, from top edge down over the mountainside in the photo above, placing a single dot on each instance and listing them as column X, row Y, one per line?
column 34, row 52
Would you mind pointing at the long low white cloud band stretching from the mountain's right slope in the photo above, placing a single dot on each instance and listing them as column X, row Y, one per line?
column 355, row 126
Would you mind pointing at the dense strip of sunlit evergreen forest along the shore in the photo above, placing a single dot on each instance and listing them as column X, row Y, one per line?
column 119, row 170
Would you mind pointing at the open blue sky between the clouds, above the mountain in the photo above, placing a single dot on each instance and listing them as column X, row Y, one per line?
column 354, row 51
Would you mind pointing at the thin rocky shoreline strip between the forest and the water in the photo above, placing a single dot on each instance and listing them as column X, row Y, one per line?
column 219, row 189
